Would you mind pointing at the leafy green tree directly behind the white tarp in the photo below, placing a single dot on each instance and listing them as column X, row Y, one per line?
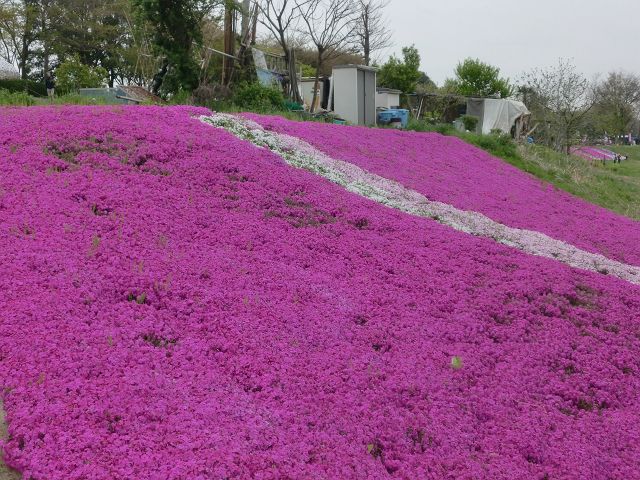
column 474, row 78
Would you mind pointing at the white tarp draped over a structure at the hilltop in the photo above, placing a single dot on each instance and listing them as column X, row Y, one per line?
column 496, row 113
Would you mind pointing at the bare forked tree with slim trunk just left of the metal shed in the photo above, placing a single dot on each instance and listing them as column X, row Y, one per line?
column 329, row 26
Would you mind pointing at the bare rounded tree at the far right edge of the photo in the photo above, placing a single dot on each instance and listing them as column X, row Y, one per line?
column 618, row 105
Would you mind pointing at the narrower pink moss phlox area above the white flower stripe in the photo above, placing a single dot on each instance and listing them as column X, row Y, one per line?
column 448, row 170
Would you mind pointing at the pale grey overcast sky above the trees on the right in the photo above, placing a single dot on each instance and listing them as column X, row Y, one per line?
column 599, row 35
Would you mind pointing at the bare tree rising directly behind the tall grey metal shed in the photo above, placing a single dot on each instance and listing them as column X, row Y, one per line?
column 371, row 31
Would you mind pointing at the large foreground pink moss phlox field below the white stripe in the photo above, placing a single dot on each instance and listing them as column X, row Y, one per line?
column 176, row 303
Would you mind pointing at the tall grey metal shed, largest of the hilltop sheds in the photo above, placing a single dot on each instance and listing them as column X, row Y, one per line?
column 354, row 93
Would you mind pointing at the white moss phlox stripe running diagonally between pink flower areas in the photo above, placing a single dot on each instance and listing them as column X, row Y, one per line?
column 392, row 194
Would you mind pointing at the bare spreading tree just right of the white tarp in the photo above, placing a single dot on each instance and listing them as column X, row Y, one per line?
column 561, row 97
